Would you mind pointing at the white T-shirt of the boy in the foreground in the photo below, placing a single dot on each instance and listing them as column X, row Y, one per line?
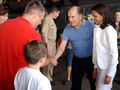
column 31, row 79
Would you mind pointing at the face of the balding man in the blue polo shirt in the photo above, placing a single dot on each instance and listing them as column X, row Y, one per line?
column 74, row 18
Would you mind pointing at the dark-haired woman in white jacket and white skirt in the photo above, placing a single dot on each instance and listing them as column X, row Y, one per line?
column 105, row 52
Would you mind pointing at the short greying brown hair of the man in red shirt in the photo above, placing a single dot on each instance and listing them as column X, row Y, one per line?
column 33, row 6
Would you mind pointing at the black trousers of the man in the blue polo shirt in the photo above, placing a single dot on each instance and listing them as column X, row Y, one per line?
column 79, row 66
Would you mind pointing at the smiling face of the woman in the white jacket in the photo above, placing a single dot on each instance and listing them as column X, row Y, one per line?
column 96, row 17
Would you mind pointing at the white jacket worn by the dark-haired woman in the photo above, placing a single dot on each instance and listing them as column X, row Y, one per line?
column 105, row 51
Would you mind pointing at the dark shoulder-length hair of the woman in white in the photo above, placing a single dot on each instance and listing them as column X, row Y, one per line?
column 104, row 11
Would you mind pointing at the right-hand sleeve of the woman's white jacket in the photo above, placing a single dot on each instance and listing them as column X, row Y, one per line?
column 112, row 39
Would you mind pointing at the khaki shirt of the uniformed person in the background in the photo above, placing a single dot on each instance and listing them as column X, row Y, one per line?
column 50, row 29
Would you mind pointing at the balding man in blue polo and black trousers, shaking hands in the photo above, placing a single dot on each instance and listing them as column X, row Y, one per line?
column 80, row 33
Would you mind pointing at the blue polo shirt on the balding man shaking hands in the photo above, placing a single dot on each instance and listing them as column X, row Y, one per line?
column 81, row 39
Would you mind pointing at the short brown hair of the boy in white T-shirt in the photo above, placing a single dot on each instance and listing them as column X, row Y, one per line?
column 35, row 50
